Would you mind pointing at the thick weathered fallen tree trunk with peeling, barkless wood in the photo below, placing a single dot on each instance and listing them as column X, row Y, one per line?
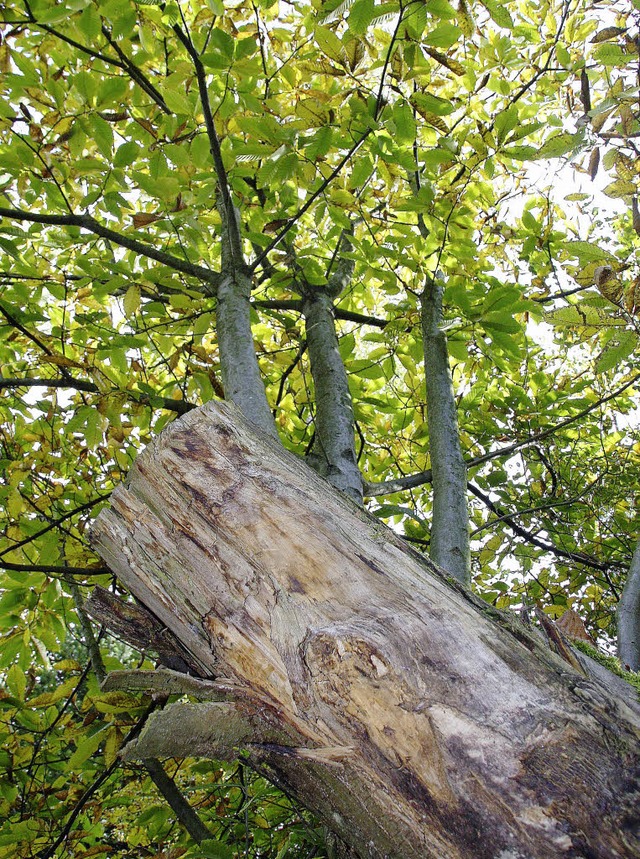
column 414, row 719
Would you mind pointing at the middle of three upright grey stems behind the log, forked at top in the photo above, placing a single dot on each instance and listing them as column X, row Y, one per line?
column 334, row 451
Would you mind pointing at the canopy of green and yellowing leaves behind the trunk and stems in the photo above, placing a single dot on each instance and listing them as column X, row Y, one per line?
column 435, row 129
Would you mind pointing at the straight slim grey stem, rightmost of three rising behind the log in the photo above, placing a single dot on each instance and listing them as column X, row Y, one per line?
column 449, row 547
